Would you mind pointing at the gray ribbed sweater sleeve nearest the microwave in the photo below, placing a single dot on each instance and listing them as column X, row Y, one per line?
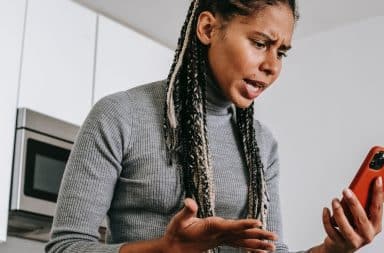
column 89, row 179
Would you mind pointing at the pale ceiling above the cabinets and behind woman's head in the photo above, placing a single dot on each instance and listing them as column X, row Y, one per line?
column 161, row 20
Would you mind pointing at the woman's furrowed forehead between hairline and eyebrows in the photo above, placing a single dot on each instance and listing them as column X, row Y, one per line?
column 276, row 21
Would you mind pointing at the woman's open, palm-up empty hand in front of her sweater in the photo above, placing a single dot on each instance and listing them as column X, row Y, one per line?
column 188, row 234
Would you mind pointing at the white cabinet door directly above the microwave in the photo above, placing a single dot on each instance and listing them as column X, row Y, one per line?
column 58, row 59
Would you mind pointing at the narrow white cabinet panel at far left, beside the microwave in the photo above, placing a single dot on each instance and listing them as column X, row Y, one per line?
column 11, row 33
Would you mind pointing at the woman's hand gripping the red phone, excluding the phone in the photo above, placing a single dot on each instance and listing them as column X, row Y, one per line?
column 348, row 238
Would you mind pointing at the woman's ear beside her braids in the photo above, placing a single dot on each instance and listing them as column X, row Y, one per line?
column 206, row 24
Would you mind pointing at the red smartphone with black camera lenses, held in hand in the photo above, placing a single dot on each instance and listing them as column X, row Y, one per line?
column 371, row 168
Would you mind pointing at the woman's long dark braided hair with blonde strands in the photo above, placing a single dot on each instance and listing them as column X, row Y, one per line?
column 185, row 126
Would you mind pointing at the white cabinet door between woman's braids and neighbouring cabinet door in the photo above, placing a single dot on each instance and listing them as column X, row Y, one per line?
column 126, row 59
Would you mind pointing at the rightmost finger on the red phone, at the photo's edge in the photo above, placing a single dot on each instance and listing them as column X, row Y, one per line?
column 376, row 207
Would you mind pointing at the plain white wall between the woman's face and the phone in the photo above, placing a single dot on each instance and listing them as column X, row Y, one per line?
column 326, row 112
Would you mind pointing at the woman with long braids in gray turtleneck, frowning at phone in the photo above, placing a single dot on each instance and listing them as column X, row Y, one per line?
column 203, row 174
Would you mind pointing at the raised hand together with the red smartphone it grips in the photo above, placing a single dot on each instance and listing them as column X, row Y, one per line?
column 358, row 217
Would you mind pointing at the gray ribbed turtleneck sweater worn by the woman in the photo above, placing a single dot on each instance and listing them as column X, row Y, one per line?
column 118, row 169
